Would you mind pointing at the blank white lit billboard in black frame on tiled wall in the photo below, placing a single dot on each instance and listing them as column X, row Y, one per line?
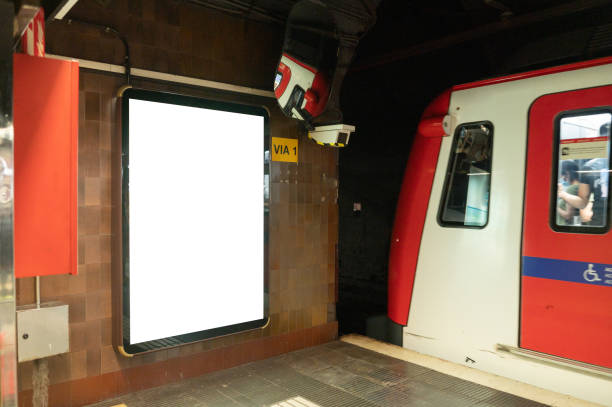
column 193, row 219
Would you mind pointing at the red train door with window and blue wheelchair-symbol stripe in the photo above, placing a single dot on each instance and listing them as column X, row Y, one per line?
column 566, row 281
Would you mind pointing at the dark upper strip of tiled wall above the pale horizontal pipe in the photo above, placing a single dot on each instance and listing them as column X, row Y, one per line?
column 174, row 37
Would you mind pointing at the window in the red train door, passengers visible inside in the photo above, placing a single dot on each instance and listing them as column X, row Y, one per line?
column 580, row 190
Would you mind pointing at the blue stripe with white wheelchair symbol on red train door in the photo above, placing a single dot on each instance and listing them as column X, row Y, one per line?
column 565, row 270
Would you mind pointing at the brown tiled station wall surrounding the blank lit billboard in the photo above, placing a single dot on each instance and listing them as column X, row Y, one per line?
column 303, row 216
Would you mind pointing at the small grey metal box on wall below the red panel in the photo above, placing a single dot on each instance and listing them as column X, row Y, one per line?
column 42, row 332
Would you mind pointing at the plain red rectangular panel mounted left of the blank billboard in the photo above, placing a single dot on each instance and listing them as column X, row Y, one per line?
column 46, row 100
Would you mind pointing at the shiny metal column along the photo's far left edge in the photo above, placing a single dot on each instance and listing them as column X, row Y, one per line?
column 8, row 360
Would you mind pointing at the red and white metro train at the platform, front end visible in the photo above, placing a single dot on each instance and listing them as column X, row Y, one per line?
column 501, row 253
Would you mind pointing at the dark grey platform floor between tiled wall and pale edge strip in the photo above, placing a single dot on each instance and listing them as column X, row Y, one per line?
column 337, row 374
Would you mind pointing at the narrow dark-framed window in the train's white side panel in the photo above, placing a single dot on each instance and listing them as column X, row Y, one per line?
column 465, row 202
